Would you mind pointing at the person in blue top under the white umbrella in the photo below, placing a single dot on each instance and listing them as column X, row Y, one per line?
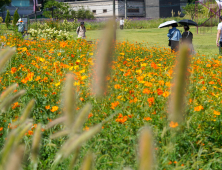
column 174, row 38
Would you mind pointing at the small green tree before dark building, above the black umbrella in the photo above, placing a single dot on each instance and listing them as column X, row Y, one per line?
column 189, row 9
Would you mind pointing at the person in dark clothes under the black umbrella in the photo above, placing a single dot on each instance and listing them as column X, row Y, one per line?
column 187, row 37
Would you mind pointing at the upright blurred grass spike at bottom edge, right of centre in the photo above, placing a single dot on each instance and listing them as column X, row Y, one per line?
column 146, row 151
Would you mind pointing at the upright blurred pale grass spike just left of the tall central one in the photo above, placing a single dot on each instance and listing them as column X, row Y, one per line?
column 69, row 100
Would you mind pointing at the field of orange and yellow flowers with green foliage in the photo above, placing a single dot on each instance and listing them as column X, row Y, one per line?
column 138, row 94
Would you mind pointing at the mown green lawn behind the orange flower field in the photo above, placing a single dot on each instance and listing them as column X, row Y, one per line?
column 204, row 44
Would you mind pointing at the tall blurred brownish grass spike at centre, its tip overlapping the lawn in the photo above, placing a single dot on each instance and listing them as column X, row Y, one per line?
column 104, row 59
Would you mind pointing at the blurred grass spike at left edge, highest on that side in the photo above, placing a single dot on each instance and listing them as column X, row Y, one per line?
column 5, row 55
